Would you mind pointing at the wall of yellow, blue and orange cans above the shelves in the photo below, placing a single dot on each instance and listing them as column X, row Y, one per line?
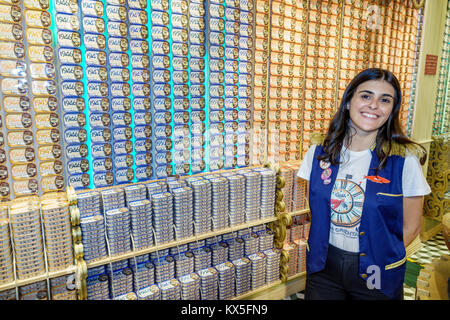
column 100, row 93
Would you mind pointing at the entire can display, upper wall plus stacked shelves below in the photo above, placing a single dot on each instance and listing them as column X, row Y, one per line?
column 114, row 98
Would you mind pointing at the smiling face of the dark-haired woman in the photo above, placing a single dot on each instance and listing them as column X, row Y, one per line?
column 371, row 106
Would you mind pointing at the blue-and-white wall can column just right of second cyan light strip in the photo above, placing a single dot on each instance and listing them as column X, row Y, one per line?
column 118, row 35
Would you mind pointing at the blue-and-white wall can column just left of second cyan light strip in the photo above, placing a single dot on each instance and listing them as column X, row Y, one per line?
column 98, row 75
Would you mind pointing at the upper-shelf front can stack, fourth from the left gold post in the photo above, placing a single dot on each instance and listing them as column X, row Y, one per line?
column 162, row 217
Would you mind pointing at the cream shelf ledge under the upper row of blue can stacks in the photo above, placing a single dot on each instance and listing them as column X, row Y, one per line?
column 176, row 243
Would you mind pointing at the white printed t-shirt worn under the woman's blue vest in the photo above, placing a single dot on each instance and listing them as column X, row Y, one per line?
column 347, row 196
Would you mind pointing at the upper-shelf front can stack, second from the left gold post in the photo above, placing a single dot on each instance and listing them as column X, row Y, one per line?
column 118, row 230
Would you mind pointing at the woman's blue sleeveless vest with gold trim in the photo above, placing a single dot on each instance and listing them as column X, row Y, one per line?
column 381, row 228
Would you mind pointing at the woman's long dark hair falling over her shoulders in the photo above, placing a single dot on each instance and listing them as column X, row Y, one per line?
column 339, row 129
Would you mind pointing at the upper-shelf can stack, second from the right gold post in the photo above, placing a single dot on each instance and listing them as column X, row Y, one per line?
column 252, row 195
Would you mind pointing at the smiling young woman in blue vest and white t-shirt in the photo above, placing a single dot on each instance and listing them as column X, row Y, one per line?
column 366, row 191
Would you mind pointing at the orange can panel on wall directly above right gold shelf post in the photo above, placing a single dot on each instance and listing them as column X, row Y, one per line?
column 286, row 79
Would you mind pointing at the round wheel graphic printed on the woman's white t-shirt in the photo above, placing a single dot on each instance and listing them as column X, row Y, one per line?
column 347, row 200
